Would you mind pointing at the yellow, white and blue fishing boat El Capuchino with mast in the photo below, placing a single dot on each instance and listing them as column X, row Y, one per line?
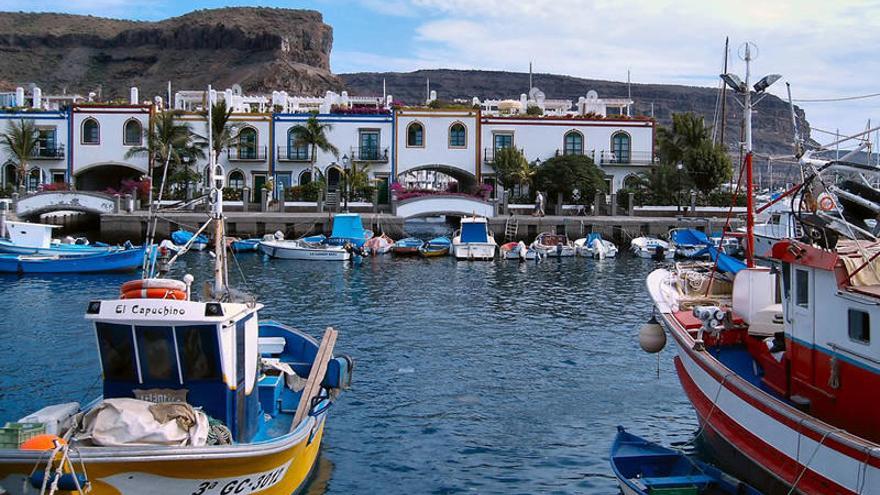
column 198, row 395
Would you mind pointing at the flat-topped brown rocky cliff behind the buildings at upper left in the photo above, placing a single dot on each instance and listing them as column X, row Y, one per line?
column 262, row 49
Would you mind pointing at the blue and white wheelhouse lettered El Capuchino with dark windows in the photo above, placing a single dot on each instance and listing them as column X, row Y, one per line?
column 205, row 354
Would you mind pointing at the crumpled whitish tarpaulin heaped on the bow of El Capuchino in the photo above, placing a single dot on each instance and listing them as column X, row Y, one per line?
column 118, row 422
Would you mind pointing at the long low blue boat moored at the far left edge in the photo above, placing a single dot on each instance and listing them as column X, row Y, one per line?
column 124, row 260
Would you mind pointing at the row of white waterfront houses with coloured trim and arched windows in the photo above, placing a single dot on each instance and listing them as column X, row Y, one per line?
column 86, row 144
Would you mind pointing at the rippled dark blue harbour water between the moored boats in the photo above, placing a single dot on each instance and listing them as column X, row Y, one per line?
column 470, row 376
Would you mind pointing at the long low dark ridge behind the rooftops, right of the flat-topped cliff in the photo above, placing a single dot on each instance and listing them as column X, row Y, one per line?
column 772, row 124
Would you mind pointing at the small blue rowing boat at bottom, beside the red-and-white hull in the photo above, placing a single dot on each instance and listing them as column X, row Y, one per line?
column 644, row 468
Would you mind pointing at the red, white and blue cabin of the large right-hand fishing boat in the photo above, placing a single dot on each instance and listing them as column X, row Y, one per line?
column 831, row 358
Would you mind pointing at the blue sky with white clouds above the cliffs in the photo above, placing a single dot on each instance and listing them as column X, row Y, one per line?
column 825, row 49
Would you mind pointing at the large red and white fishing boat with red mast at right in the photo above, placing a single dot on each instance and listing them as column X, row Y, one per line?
column 782, row 363
